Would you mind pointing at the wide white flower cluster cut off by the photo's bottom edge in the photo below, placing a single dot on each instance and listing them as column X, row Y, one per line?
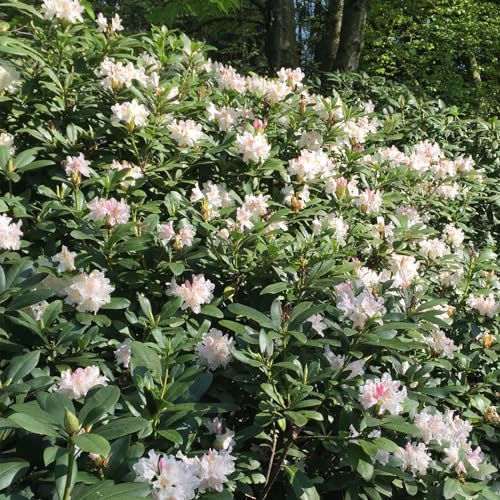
column 179, row 477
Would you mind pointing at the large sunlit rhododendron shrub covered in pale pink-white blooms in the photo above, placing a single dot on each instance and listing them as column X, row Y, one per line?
column 215, row 285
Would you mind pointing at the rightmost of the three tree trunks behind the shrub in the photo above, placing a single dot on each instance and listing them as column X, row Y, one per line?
column 351, row 35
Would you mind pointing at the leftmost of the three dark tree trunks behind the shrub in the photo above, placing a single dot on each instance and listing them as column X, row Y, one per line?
column 281, row 46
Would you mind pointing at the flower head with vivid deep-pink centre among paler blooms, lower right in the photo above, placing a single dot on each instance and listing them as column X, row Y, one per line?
column 383, row 393
